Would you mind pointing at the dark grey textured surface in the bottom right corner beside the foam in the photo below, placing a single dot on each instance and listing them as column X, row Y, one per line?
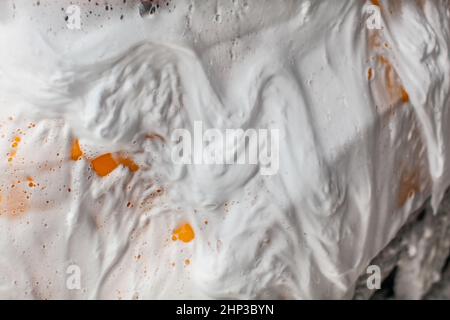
column 415, row 265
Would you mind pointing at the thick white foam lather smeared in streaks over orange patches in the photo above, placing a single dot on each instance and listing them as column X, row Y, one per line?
column 92, row 205
